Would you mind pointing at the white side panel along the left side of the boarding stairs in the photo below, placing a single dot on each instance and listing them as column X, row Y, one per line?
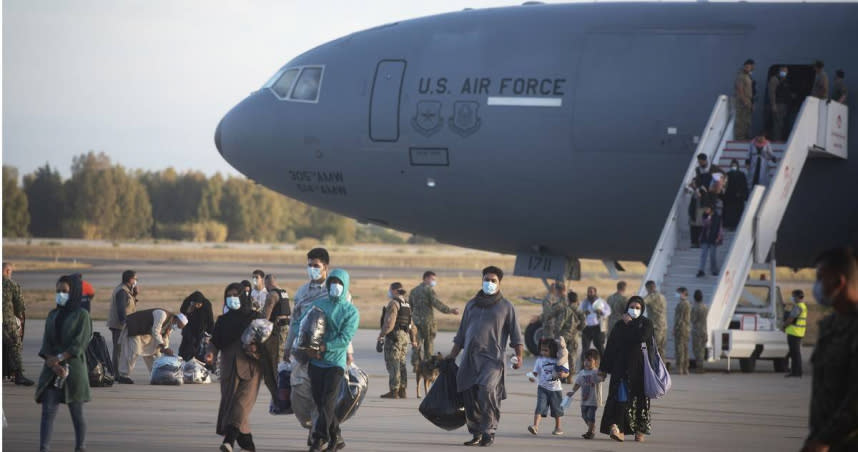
column 710, row 142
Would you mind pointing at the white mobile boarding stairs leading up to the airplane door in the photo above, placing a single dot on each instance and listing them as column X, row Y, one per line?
column 752, row 331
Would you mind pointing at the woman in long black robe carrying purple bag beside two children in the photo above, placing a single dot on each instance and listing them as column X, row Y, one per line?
column 627, row 408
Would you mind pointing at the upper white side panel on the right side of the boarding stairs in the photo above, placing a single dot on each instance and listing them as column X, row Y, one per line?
column 801, row 140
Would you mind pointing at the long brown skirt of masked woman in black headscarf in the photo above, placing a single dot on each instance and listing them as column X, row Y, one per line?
column 239, row 387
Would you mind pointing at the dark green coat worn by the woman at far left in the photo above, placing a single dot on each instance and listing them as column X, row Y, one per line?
column 74, row 338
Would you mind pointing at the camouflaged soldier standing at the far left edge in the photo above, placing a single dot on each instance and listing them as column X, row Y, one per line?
column 13, row 324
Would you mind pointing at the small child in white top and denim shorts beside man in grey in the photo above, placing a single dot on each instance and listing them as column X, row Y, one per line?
column 549, row 392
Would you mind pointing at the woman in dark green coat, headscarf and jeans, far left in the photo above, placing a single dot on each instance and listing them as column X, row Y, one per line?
column 64, row 377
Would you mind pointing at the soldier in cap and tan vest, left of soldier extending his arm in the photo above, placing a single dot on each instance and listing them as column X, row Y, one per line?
column 397, row 332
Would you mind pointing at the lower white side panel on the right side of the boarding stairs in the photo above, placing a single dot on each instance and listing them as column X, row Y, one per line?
column 735, row 268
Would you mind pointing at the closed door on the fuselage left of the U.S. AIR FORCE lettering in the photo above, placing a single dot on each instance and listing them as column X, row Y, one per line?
column 384, row 102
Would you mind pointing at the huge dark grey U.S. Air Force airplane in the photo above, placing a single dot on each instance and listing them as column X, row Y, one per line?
column 560, row 130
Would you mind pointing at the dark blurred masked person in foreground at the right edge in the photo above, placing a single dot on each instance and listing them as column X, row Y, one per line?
column 834, row 392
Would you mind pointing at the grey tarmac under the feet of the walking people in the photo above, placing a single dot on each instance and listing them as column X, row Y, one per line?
column 715, row 411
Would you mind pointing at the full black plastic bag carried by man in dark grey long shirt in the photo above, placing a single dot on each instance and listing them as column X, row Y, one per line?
column 443, row 405
